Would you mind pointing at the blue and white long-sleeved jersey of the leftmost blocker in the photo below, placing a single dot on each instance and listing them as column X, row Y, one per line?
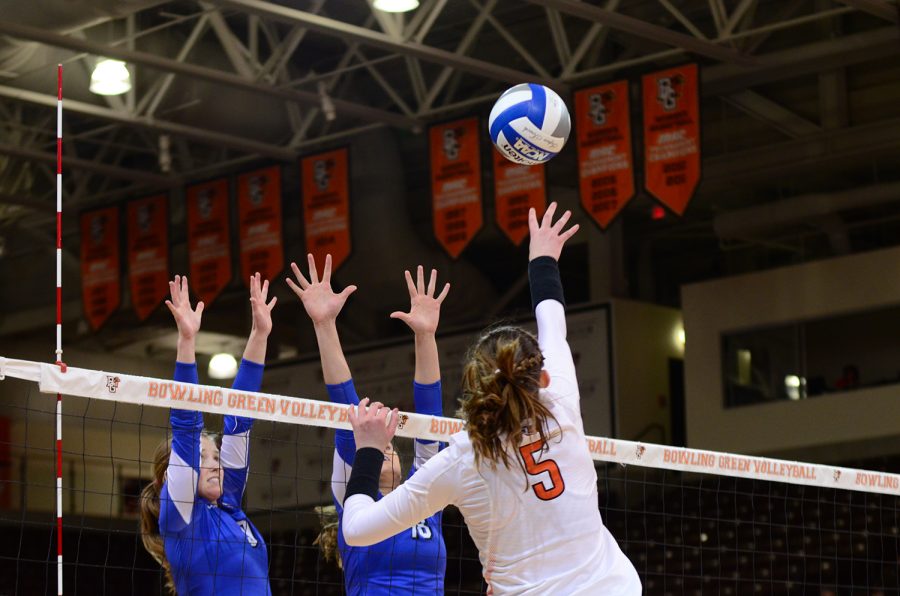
column 212, row 548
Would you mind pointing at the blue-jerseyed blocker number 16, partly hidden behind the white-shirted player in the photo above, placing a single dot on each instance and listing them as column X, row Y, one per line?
column 414, row 560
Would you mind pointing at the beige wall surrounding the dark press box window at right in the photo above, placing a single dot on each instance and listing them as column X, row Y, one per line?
column 836, row 425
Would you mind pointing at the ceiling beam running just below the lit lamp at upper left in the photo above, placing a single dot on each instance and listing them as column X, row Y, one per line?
column 198, row 134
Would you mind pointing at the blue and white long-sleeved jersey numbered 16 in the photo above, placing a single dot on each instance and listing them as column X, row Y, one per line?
column 413, row 561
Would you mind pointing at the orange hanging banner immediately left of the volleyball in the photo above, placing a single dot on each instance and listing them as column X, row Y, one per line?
column 455, row 183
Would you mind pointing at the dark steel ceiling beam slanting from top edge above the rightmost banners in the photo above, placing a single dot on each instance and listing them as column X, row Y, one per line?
column 647, row 30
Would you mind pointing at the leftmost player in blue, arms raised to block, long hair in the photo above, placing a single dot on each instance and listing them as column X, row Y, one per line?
column 191, row 517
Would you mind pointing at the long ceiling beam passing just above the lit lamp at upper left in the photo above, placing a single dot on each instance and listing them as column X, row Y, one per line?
column 343, row 107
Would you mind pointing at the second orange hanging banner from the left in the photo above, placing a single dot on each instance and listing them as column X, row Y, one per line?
column 148, row 253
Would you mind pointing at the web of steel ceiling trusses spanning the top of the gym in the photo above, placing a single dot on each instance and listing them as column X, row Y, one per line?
column 337, row 69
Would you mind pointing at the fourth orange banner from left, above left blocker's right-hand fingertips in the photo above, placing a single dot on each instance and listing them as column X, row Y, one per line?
column 259, row 223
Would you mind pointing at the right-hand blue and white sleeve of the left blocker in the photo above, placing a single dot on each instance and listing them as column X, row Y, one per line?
column 235, row 452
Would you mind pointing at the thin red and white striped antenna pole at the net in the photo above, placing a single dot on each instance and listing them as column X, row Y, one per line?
column 59, row 360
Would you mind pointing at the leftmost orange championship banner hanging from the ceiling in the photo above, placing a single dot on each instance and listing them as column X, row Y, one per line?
column 100, row 283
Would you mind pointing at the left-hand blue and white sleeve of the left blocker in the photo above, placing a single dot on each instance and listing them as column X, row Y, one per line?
column 180, row 489
